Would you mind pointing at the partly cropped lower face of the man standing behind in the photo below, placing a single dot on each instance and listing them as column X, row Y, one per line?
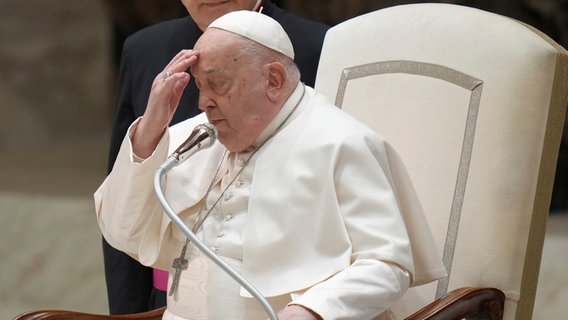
column 204, row 12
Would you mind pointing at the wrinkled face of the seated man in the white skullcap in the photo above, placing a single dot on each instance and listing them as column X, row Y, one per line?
column 232, row 91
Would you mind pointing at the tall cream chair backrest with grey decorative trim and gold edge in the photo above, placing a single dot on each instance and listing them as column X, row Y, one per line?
column 475, row 103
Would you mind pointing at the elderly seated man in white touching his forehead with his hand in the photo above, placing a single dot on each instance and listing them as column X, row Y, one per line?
column 297, row 196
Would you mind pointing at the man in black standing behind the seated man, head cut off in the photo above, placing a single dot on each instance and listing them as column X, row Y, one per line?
column 130, row 286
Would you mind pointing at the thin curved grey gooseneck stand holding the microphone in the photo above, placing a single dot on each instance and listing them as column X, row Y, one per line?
column 162, row 170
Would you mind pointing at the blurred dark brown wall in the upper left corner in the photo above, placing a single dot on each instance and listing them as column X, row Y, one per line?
column 54, row 72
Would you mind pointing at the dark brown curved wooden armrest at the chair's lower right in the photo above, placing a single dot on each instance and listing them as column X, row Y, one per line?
column 465, row 303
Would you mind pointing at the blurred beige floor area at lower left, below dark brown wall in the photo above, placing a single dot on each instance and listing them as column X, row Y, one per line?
column 50, row 247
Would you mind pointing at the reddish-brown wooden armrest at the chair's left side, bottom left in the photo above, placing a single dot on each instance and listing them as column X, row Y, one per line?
column 68, row 315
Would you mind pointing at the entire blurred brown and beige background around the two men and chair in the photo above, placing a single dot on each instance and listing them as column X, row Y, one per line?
column 58, row 63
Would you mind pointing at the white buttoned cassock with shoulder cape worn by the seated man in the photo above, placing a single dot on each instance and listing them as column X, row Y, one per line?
column 323, row 216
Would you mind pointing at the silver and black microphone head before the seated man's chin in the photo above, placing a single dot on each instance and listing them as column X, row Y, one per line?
column 203, row 136
